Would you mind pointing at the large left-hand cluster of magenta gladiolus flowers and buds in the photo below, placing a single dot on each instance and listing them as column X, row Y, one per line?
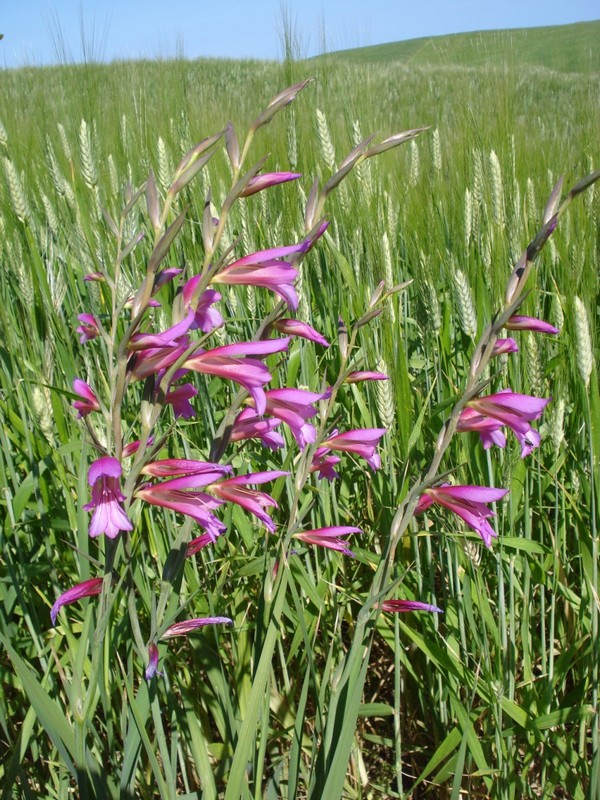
column 165, row 361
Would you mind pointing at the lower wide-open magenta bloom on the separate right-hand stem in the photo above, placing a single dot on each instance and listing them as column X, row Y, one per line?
column 468, row 502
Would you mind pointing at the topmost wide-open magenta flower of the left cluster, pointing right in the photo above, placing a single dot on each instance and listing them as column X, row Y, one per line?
column 267, row 270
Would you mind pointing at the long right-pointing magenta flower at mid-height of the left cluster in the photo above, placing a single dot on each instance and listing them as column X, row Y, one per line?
column 227, row 362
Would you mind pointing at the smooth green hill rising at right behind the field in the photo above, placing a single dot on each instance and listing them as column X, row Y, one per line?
column 566, row 48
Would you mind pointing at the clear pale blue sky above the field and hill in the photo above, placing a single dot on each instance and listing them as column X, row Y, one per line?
column 45, row 31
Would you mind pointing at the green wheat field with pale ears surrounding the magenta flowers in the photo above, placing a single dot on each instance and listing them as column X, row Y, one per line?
column 498, row 698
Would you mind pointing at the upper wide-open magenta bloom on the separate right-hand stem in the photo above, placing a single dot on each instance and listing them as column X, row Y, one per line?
column 507, row 408
